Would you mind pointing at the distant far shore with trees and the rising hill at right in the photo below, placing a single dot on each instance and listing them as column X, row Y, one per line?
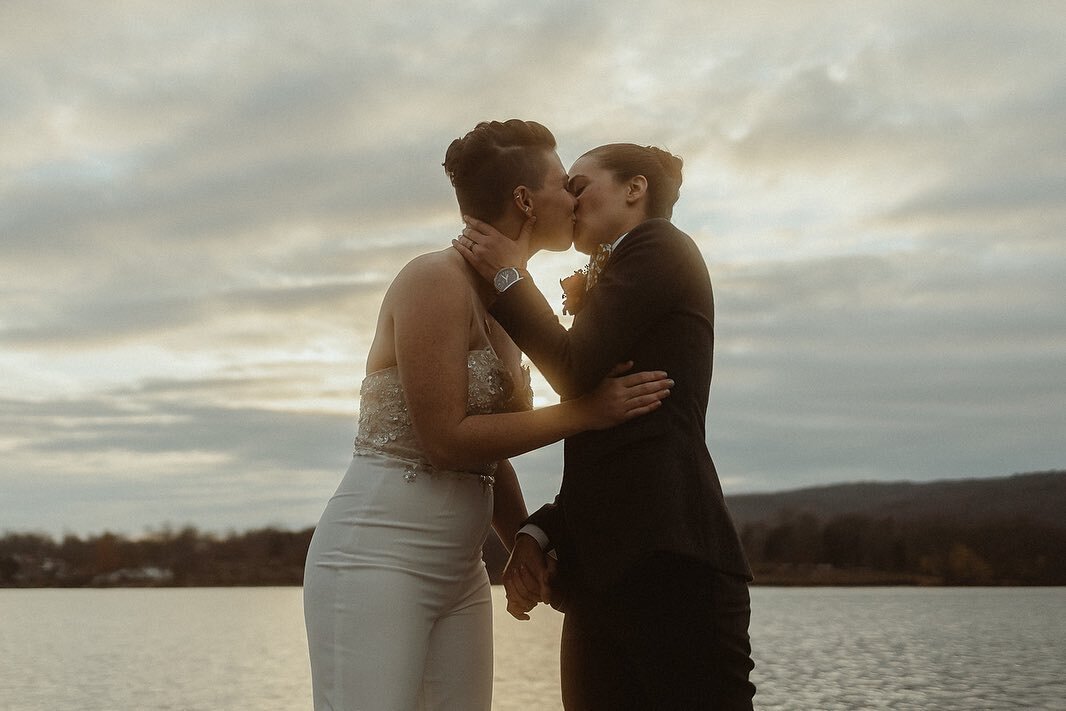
column 1005, row 532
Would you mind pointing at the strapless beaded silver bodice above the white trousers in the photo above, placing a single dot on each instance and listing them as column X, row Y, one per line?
column 385, row 426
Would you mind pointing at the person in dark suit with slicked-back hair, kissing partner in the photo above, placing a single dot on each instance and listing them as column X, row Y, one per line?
column 651, row 572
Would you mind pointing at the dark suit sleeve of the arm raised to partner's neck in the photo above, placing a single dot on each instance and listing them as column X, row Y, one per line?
column 641, row 285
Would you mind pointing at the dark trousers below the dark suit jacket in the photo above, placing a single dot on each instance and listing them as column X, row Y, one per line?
column 672, row 636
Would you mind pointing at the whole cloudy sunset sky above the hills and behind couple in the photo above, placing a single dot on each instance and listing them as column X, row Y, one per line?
column 202, row 205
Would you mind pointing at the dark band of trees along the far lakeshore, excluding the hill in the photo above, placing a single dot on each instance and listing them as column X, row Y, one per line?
column 794, row 548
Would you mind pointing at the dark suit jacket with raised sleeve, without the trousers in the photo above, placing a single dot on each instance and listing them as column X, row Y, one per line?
column 649, row 486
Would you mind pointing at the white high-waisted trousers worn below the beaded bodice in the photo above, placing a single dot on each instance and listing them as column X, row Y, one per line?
column 396, row 596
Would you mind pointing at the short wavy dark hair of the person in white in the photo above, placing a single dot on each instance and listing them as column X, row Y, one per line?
column 487, row 165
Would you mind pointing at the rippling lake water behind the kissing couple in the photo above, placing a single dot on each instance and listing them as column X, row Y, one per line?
column 816, row 650
